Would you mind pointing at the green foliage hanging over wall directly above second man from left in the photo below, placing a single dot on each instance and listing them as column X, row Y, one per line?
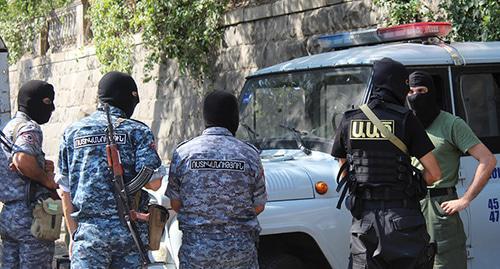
column 187, row 31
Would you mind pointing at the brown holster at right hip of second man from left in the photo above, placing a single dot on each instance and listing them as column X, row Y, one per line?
column 158, row 216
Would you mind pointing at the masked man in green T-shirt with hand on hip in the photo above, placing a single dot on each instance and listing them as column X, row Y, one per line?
column 451, row 137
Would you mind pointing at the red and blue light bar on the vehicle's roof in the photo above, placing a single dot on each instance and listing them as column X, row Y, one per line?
column 387, row 34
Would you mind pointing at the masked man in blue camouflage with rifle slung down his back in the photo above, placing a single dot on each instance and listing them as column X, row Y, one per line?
column 99, row 238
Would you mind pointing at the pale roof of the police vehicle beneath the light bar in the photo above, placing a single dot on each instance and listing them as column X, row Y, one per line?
column 406, row 53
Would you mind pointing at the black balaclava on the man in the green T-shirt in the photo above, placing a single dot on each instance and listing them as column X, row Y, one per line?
column 424, row 105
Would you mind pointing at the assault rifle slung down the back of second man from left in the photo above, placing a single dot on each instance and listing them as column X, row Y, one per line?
column 121, row 196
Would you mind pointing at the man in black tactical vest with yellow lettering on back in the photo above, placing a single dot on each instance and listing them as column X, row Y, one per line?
column 388, row 229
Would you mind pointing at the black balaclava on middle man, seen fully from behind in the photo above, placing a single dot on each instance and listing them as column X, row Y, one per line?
column 220, row 109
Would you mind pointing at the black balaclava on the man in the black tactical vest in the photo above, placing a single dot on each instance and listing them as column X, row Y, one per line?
column 390, row 81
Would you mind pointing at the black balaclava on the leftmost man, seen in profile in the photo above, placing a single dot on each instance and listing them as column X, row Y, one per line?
column 31, row 100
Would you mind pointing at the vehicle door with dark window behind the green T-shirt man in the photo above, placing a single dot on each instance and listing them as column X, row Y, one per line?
column 477, row 101
